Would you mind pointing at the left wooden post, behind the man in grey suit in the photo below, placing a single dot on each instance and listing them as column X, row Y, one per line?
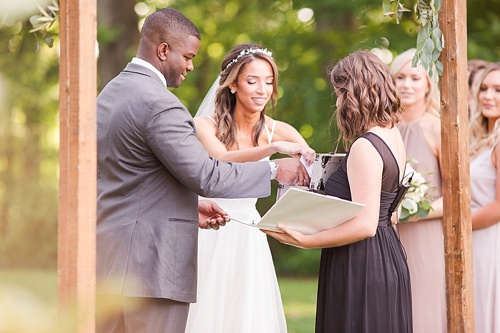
column 77, row 159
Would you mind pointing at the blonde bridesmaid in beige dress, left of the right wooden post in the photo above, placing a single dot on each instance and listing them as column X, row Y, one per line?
column 423, row 239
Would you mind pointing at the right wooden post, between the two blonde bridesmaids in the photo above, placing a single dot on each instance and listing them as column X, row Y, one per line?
column 455, row 166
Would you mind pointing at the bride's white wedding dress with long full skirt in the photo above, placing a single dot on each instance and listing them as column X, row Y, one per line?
column 238, row 290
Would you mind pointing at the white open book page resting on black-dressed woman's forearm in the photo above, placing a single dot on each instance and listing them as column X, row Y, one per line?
column 307, row 212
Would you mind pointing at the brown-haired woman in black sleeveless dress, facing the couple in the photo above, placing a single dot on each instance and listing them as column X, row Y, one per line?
column 364, row 281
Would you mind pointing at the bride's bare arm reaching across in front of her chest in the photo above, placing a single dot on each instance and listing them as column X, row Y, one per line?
column 206, row 132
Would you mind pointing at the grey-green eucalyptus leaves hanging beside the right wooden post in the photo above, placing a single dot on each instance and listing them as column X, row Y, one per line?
column 430, row 40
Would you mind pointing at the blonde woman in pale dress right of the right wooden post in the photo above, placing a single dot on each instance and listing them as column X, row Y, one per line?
column 485, row 195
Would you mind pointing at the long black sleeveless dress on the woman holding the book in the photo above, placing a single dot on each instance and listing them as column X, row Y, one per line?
column 365, row 286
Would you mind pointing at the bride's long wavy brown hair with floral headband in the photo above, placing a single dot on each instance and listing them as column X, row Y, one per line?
column 225, row 101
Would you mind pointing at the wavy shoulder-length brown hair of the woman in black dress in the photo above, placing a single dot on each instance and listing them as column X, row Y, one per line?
column 366, row 94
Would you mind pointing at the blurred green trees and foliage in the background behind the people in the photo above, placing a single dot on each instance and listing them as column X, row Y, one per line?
column 306, row 36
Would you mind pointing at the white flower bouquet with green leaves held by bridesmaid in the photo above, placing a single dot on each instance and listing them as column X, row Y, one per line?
column 416, row 201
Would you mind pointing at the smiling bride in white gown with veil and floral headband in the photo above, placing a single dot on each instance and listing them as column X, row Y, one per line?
column 237, row 285
